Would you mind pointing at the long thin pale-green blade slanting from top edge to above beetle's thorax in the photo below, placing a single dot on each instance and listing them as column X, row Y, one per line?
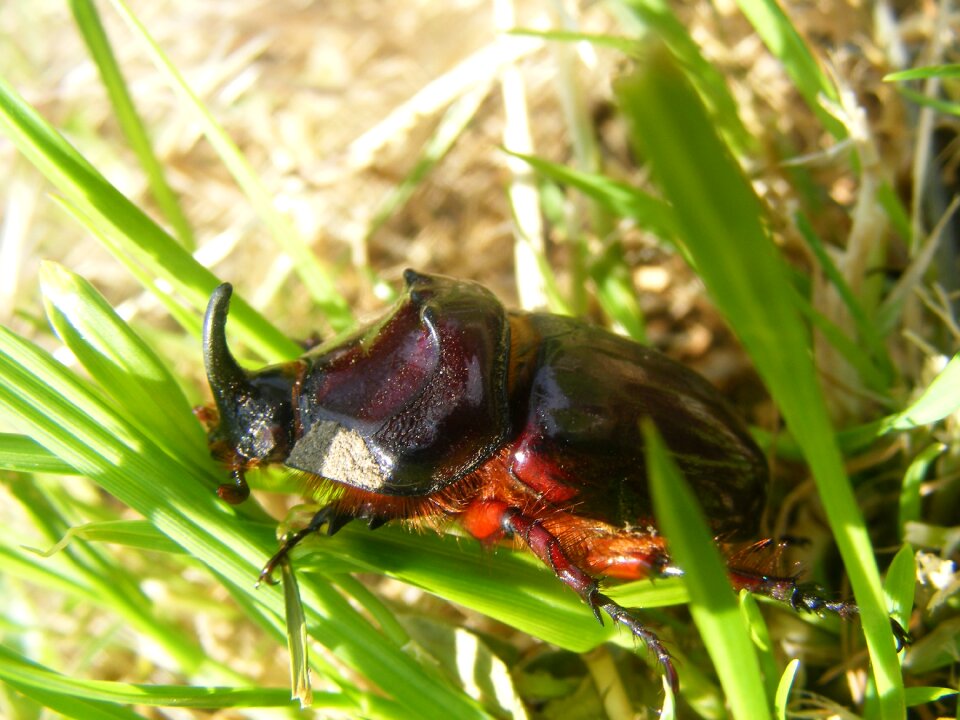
column 316, row 279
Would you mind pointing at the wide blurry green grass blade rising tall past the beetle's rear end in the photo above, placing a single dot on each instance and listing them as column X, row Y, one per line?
column 722, row 225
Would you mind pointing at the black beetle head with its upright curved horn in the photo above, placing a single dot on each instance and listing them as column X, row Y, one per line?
column 255, row 416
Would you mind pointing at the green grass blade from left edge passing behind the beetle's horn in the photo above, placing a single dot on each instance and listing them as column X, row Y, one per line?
column 126, row 230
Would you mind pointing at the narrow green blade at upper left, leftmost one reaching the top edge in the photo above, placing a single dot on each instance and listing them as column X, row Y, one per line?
column 88, row 20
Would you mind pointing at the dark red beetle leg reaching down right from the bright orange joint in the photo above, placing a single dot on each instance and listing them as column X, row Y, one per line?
column 547, row 547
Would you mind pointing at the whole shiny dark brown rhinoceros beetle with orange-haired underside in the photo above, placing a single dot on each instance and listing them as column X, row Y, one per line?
column 515, row 424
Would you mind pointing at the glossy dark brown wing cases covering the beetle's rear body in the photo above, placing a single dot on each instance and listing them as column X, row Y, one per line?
column 580, row 440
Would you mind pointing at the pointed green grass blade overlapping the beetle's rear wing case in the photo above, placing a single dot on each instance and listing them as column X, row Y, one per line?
column 712, row 603
